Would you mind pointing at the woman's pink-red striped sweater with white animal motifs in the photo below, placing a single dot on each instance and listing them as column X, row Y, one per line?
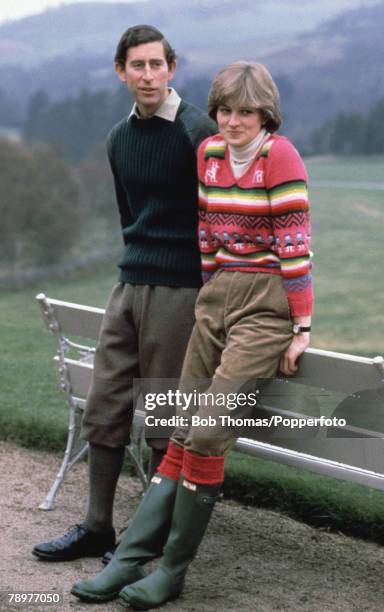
column 259, row 222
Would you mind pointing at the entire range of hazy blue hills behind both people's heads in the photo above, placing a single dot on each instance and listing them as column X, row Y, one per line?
column 321, row 66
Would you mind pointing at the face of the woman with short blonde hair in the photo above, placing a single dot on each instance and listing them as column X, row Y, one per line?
column 238, row 125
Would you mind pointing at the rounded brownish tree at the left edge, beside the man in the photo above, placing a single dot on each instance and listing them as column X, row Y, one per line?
column 39, row 208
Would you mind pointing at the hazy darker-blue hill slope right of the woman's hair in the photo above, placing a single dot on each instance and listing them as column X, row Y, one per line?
column 336, row 67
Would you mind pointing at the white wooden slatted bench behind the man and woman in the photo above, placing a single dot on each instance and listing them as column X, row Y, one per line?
column 327, row 378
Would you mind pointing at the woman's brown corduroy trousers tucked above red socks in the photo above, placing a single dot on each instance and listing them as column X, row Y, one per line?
column 243, row 326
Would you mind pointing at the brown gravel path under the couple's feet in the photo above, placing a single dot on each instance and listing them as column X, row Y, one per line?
column 250, row 560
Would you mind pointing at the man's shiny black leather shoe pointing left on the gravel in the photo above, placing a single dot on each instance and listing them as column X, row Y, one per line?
column 78, row 542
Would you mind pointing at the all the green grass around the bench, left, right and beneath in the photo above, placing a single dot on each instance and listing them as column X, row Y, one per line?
column 347, row 238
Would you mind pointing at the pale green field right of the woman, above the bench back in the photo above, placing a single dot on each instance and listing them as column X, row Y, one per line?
column 347, row 228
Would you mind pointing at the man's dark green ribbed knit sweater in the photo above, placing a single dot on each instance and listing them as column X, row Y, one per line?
column 153, row 162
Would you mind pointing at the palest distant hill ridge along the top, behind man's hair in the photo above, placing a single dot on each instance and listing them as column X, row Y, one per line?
column 80, row 28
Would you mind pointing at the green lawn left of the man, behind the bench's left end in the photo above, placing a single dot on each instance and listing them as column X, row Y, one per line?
column 31, row 408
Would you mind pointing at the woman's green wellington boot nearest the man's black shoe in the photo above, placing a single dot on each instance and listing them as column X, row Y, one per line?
column 144, row 540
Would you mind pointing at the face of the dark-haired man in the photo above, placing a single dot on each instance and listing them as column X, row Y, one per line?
column 146, row 74
